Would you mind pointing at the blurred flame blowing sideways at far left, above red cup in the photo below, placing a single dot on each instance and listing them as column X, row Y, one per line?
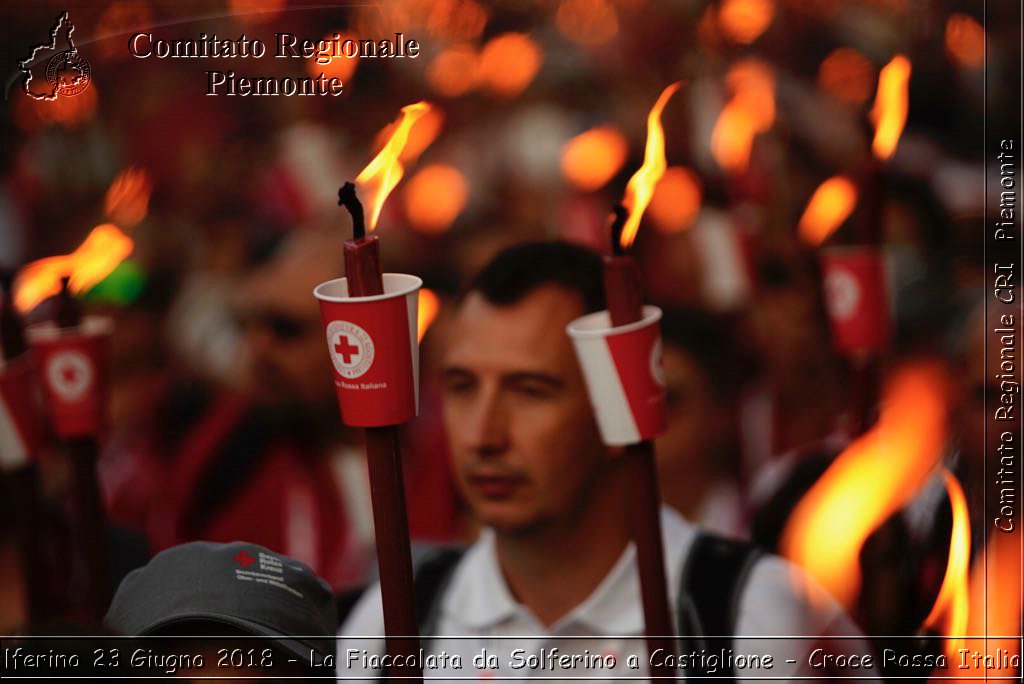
column 100, row 253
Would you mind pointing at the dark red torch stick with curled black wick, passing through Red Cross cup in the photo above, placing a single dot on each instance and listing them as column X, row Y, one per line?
column 385, row 458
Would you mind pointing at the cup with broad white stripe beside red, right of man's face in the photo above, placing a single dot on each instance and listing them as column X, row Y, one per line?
column 623, row 370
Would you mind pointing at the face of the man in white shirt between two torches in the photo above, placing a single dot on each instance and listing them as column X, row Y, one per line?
column 525, row 445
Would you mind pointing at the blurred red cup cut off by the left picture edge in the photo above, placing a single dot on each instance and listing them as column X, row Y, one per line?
column 21, row 422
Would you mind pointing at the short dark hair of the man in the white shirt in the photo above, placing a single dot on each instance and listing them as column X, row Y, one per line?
column 519, row 271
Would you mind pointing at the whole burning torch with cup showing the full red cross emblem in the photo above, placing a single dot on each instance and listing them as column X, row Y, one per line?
column 371, row 327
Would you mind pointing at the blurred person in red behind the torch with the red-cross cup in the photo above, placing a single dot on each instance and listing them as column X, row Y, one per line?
column 267, row 459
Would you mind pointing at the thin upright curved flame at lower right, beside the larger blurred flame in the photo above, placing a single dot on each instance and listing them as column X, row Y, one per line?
column 952, row 603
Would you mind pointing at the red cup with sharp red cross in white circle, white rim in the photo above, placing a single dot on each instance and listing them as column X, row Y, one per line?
column 374, row 350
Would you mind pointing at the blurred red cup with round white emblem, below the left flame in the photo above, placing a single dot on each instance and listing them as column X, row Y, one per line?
column 72, row 367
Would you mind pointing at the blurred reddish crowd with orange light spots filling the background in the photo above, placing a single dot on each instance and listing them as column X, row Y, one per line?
column 224, row 423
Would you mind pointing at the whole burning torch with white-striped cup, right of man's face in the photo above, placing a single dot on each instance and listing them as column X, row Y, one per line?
column 620, row 353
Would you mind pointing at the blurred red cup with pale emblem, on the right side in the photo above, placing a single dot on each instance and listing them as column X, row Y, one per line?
column 857, row 298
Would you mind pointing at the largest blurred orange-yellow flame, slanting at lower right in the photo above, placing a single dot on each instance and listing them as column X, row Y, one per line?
column 873, row 479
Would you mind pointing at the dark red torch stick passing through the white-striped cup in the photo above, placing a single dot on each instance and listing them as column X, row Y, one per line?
column 625, row 300
